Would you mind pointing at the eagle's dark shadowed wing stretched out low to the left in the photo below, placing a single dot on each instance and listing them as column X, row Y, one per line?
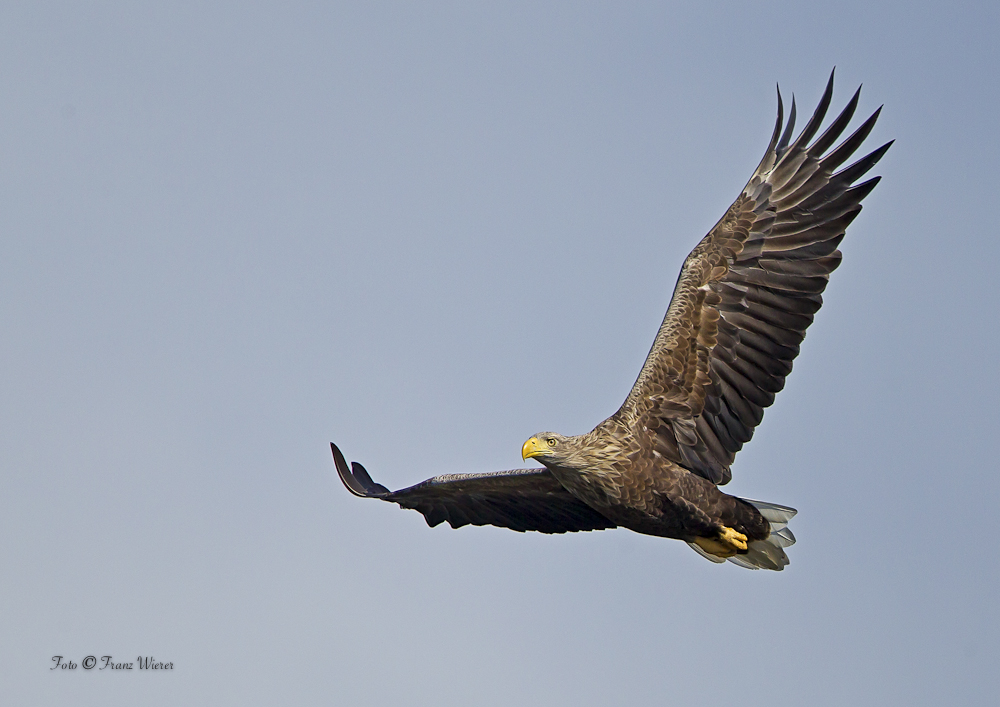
column 522, row 499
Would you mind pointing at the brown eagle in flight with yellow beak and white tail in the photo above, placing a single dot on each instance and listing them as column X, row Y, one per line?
column 743, row 300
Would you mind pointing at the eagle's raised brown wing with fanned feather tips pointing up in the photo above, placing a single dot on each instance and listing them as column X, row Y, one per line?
column 746, row 295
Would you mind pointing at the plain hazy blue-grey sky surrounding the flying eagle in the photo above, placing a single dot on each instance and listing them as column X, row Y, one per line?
column 232, row 234
